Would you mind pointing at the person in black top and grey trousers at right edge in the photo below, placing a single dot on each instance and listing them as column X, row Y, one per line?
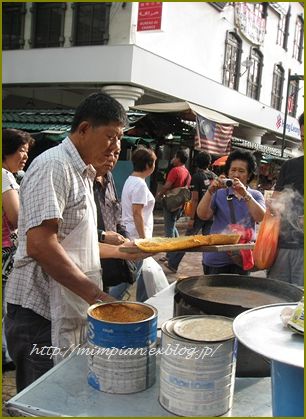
column 289, row 192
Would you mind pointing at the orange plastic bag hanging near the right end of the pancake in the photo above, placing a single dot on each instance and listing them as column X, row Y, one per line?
column 265, row 249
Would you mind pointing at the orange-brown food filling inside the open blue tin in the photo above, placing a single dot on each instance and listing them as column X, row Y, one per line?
column 121, row 313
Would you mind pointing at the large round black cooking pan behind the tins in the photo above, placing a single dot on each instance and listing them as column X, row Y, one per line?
column 230, row 295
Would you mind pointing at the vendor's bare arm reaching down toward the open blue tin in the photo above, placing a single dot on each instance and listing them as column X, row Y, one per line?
column 44, row 247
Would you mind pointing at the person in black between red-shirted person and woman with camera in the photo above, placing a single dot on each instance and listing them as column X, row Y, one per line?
column 200, row 182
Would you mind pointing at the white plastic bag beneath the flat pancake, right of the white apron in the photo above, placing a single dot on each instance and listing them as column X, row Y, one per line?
column 153, row 277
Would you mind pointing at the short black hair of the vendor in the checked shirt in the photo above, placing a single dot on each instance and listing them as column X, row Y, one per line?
column 99, row 109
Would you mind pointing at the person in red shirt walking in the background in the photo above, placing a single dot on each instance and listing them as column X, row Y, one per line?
column 178, row 176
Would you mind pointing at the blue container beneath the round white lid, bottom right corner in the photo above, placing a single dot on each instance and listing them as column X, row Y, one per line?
column 287, row 390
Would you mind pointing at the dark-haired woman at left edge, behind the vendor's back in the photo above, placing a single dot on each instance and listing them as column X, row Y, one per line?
column 15, row 148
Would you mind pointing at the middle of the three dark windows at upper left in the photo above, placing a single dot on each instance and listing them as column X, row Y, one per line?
column 48, row 25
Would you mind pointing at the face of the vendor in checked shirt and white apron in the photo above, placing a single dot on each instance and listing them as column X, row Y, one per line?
column 99, row 144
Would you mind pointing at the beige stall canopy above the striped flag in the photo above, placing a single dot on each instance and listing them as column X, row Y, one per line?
column 187, row 109
